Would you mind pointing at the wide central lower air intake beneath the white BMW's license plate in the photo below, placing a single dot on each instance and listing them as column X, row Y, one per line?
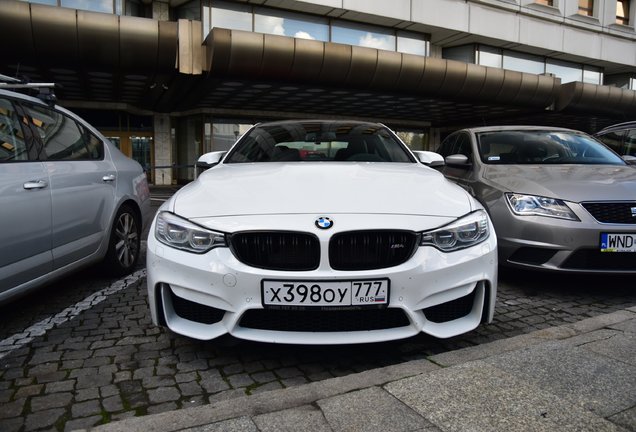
column 324, row 320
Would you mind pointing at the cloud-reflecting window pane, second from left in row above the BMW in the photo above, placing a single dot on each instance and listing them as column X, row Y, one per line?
column 290, row 24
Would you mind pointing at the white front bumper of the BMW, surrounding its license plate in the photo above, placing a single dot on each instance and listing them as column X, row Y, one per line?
column 441, row 294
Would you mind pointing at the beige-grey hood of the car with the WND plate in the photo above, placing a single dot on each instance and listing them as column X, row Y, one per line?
column 568, row 182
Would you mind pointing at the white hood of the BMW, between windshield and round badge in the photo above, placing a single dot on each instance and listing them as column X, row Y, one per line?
column 321, row 188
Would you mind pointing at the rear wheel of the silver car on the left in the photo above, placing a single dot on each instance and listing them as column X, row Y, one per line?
column 124, row 245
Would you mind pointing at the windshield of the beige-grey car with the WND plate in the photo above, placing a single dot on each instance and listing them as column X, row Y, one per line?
column 543, row 147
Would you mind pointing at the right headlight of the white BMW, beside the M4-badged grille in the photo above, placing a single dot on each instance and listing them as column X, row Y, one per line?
column 465, row 232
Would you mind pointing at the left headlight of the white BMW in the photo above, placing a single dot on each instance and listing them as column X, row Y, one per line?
column 181, row 234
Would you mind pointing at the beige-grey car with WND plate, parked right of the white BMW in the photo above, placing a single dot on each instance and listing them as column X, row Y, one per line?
column 559, row 199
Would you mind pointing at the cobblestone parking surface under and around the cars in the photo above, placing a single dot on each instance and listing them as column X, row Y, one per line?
column 83, row 351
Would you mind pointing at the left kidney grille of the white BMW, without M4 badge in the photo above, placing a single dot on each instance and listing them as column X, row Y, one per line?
column 277, row 250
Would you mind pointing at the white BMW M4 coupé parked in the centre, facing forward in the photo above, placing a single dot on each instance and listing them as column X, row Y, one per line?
column 321, row 232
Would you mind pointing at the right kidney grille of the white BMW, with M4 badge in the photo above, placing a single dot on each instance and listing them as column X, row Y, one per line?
column 368, row 250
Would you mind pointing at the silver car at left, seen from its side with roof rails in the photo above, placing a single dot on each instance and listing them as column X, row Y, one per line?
column 68, row 197
